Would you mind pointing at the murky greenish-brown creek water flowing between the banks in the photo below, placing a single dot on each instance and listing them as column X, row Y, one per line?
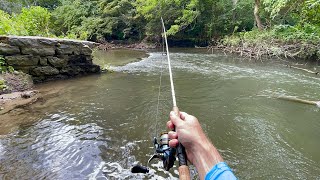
column 99, row 126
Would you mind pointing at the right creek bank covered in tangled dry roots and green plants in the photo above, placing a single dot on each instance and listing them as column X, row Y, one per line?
column 272, row 44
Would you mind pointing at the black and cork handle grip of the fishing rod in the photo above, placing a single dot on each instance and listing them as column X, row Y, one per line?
column 184, row 172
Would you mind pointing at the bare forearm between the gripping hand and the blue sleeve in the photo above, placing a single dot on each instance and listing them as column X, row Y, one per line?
column 207, row 156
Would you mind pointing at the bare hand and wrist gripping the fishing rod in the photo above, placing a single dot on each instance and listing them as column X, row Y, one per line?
column 199, row 149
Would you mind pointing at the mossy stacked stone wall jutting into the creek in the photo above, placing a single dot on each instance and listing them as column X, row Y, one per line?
column 47, row 58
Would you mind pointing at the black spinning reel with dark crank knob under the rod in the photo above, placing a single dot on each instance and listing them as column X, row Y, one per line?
column 163, row 152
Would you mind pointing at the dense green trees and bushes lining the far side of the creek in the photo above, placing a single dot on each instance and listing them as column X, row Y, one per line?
column 232, row 23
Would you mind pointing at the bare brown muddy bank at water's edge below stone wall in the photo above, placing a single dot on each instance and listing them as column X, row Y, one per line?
column 21, row 108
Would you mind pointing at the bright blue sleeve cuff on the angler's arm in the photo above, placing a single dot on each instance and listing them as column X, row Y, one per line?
column 220, row 171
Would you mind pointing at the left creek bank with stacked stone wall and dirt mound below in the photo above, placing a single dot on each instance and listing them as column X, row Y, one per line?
column 37, row 60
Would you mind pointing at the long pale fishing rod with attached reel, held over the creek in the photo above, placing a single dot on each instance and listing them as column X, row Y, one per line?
column 162, row 150
